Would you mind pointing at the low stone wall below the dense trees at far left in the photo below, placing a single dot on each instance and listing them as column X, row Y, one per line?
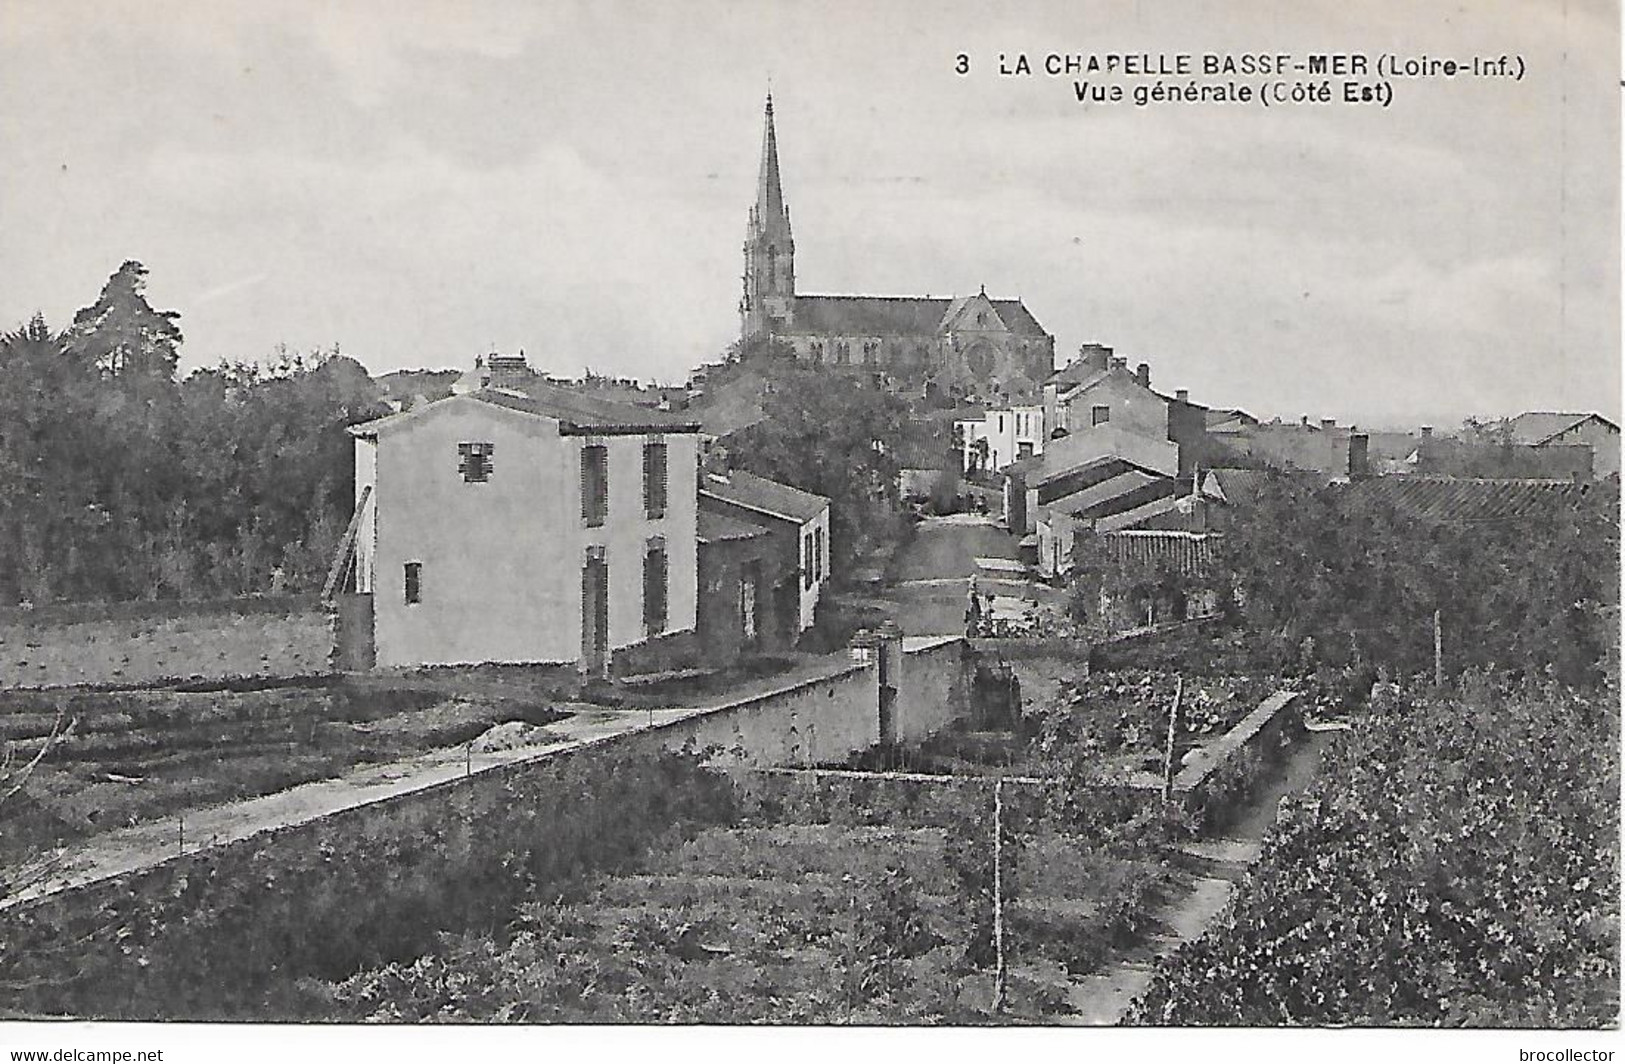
column 134, row 644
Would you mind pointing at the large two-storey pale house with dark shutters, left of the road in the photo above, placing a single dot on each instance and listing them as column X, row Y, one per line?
column 539, row 527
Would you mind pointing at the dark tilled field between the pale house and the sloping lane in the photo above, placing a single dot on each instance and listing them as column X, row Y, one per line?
column 137, row 756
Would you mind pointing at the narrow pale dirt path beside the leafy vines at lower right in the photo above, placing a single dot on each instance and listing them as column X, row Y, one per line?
column 1220, row 865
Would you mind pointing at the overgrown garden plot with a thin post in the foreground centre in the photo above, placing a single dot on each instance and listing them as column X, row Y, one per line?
column 833, row 910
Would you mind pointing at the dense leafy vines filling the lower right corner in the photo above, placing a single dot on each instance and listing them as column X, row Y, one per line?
column 1455, row 865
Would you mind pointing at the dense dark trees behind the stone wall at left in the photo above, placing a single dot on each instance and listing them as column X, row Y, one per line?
column 129, row 483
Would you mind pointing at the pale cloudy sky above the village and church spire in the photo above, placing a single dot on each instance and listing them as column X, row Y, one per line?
column 427, row 181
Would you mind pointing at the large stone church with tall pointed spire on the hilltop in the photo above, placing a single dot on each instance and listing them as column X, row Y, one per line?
column 963, row 350
